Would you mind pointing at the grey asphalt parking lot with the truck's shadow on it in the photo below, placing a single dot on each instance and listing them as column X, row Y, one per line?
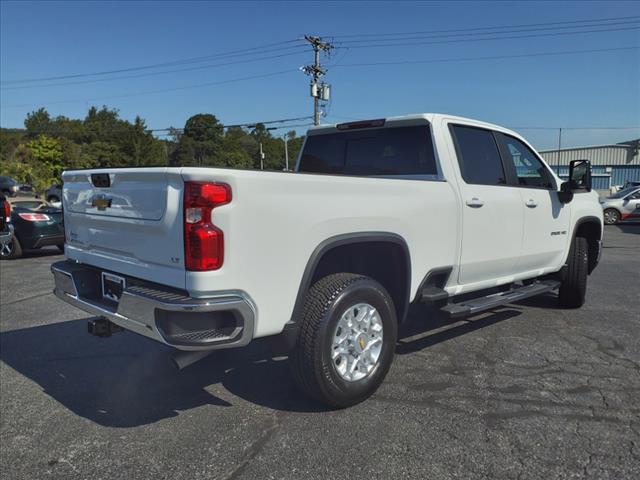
column 528, row 391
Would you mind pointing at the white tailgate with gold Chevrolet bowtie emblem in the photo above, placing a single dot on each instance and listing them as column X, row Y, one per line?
column 129, row 225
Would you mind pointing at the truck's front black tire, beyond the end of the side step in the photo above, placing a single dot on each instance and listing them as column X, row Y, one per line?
column 574, row 280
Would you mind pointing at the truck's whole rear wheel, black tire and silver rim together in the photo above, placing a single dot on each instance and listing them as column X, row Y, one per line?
column 346, row 340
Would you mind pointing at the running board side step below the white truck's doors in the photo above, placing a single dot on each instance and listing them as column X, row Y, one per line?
column 477, row 305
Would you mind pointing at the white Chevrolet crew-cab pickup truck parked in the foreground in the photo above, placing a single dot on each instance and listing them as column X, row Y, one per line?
column 379, row 214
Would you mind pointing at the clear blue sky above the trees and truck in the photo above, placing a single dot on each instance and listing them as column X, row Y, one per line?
column 597, row 89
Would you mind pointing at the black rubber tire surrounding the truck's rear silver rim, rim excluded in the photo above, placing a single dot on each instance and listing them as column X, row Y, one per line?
column 313, row 369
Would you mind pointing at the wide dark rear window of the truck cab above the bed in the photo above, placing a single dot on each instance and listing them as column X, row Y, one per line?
column 398, row 151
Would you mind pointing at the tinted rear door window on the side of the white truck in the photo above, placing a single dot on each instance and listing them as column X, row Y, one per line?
column 478, row 156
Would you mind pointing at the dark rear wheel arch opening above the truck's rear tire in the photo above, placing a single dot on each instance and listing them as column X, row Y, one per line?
column 382, row 256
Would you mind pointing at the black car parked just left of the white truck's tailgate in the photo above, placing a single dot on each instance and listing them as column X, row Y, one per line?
column 36, row 224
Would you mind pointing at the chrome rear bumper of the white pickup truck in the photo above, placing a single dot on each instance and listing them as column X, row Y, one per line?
column 166, row 315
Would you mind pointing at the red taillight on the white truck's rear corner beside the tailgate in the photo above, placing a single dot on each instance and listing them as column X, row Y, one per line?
column 203, row 241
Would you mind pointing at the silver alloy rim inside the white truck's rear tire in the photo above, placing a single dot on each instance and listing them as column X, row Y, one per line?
column 357, row 342
